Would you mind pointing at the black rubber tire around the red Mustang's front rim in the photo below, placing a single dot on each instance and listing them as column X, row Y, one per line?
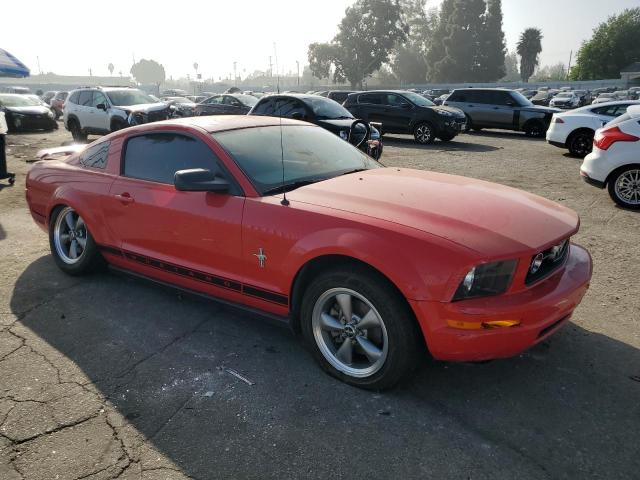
column 402, row 334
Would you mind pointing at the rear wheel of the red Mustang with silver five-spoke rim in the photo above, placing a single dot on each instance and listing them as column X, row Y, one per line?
column 72, row 245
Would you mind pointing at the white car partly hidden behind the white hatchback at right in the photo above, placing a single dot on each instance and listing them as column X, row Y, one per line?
column 574, row 130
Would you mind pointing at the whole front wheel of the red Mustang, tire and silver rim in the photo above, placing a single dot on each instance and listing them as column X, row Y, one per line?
column 359, row 329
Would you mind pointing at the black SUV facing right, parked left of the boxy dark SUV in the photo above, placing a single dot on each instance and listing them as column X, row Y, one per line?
column 407, row 112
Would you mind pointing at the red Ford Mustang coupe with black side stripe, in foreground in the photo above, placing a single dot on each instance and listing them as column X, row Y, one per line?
column 369, row 263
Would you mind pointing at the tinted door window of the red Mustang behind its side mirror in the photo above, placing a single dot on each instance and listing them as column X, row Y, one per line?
column 157, row 157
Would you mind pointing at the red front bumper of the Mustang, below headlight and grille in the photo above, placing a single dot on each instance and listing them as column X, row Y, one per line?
column 541, row 311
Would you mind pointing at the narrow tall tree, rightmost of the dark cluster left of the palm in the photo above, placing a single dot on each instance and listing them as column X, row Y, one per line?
column 491, row 45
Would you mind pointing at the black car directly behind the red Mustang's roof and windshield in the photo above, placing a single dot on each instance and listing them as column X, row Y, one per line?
column 325, row 113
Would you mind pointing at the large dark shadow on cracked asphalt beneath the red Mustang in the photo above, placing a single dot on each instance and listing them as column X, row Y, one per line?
column 566, row 409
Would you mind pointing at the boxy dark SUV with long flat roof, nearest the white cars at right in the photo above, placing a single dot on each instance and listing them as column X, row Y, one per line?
column 501, row 108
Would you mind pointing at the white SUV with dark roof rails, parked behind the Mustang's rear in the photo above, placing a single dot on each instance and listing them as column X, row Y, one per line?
column 101, row 110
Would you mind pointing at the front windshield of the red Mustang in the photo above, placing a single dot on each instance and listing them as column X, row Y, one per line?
column 309, row 154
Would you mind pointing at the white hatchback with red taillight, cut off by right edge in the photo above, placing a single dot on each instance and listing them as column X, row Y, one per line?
column 614, row 162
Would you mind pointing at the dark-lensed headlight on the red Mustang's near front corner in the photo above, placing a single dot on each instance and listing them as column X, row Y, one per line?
column 486, row 279
